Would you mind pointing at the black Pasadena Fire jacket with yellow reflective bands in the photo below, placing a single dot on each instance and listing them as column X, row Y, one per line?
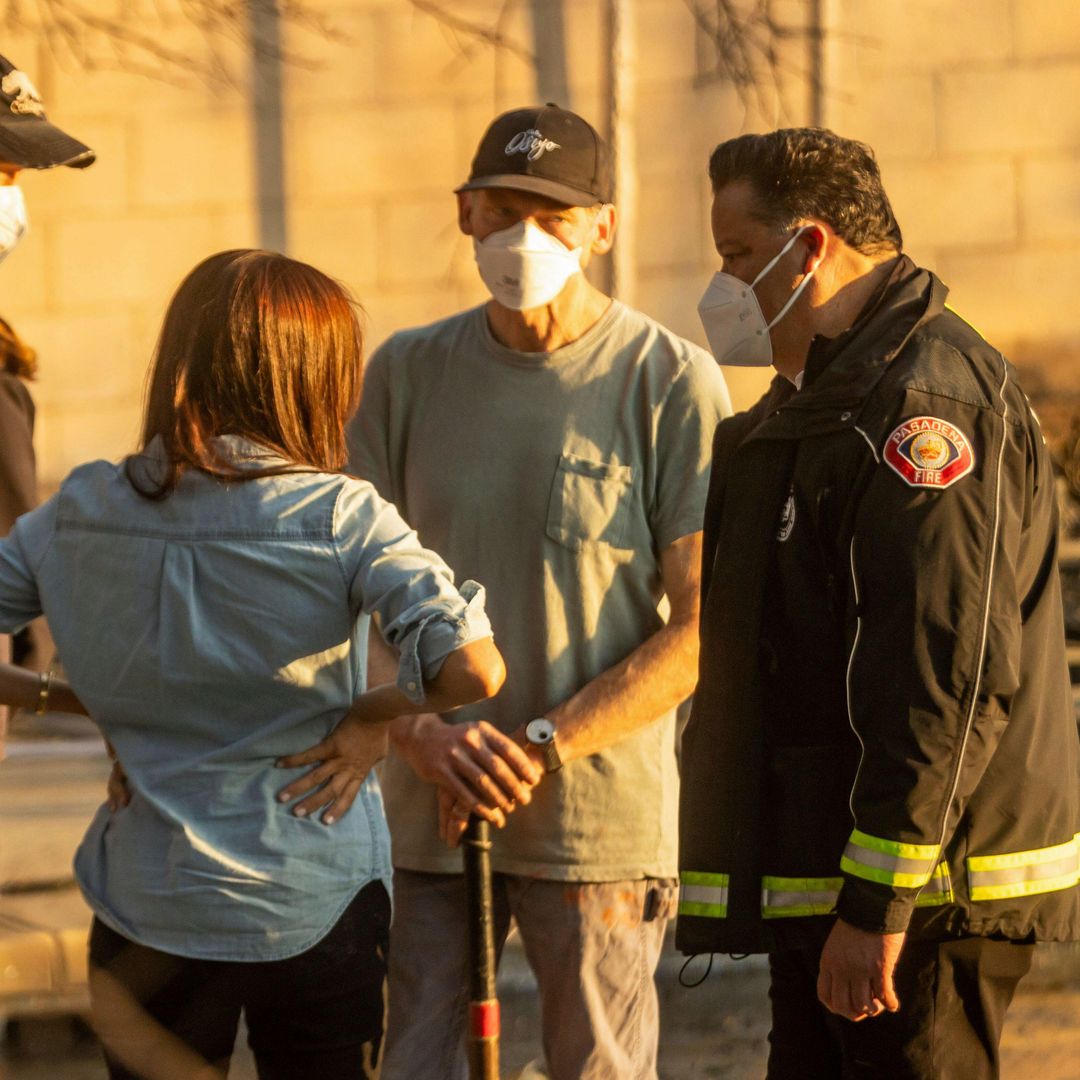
column 883, row 727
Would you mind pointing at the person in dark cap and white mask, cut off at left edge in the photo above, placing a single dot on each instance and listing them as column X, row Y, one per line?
column 28, row 141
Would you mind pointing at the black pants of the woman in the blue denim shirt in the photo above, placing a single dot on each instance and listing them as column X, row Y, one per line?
column 314, row 1017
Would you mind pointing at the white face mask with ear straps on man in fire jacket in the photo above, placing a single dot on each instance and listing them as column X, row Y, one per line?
column 735, row 327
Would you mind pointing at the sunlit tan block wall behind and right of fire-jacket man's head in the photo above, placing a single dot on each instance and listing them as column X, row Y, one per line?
column 975, row 113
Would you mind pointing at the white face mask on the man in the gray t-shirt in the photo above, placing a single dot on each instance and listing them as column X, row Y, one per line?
column 525, row 267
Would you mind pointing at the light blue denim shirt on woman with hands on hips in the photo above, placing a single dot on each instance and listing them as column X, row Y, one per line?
column 209, row 634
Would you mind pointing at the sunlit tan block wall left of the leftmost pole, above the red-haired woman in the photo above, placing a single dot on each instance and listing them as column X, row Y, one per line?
column 109, row 245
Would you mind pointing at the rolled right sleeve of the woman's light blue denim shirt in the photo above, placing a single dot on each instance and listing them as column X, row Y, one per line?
column 410, row 588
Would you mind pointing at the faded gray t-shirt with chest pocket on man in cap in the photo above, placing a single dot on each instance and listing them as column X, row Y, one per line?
column 556, row 480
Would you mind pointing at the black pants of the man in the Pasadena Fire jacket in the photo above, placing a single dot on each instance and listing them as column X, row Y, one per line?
column 953, row 1001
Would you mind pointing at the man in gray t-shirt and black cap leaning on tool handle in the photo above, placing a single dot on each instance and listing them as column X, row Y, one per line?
column 555, row 445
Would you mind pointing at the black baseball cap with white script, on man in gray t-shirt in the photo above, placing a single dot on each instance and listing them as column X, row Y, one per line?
column 547, row 151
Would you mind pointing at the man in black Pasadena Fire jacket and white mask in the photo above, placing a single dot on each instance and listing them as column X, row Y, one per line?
column 882, row 774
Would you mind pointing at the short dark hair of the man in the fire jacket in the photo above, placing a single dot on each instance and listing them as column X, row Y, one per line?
column 798, row 173
